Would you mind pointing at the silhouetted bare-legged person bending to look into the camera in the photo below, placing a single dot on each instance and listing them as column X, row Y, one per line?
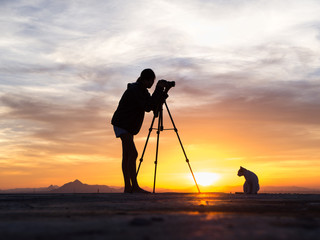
column 127, row 121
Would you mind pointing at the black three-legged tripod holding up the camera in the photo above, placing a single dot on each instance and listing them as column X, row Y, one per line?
column 160, row 128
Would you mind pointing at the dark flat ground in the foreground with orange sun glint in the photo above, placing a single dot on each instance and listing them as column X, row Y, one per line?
column 159, row 216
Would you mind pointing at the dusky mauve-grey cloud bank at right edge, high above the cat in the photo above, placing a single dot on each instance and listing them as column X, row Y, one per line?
column 289, row 102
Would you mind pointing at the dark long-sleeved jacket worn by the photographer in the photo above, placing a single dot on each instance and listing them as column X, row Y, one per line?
column 134, row 102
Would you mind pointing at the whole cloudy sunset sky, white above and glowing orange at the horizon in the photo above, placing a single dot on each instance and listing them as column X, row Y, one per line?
column 247, row 92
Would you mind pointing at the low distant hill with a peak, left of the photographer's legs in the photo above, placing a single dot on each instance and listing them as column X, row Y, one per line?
column 79, row 187
